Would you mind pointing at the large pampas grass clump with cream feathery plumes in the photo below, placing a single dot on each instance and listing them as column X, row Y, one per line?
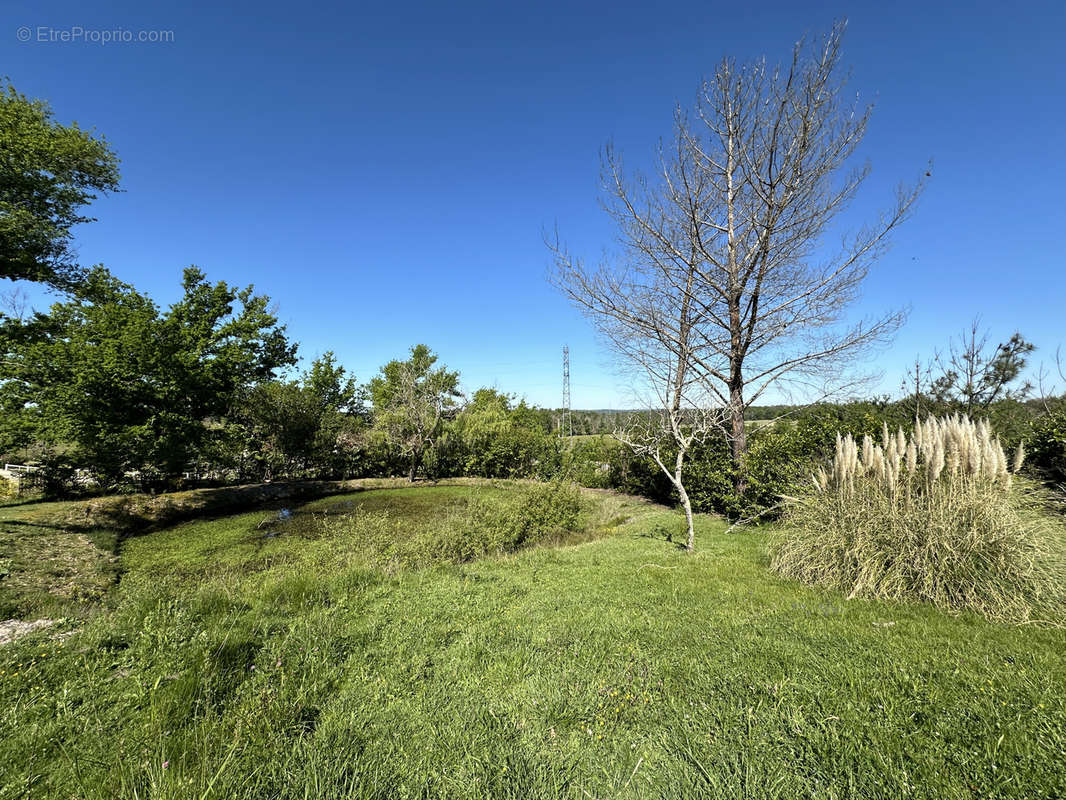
column 939, row 517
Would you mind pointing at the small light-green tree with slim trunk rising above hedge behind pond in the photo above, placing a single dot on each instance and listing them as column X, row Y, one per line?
column 411, row 399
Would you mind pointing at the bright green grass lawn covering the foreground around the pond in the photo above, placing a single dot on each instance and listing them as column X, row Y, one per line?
column 251, row 658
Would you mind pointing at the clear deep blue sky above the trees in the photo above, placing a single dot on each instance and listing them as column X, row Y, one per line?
column 385, row 172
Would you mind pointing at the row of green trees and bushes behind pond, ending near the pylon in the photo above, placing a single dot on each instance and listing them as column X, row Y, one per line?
column 109, row 385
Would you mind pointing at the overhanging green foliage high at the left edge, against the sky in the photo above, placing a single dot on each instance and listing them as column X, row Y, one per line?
column 49, row 173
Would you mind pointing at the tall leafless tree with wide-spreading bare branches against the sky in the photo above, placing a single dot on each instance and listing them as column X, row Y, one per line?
column 732, row 227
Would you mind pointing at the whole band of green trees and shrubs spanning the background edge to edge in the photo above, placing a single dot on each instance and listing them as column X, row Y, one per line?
column 107, row 391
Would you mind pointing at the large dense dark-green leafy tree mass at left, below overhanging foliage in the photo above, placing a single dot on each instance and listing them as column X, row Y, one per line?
column 120, row 388
